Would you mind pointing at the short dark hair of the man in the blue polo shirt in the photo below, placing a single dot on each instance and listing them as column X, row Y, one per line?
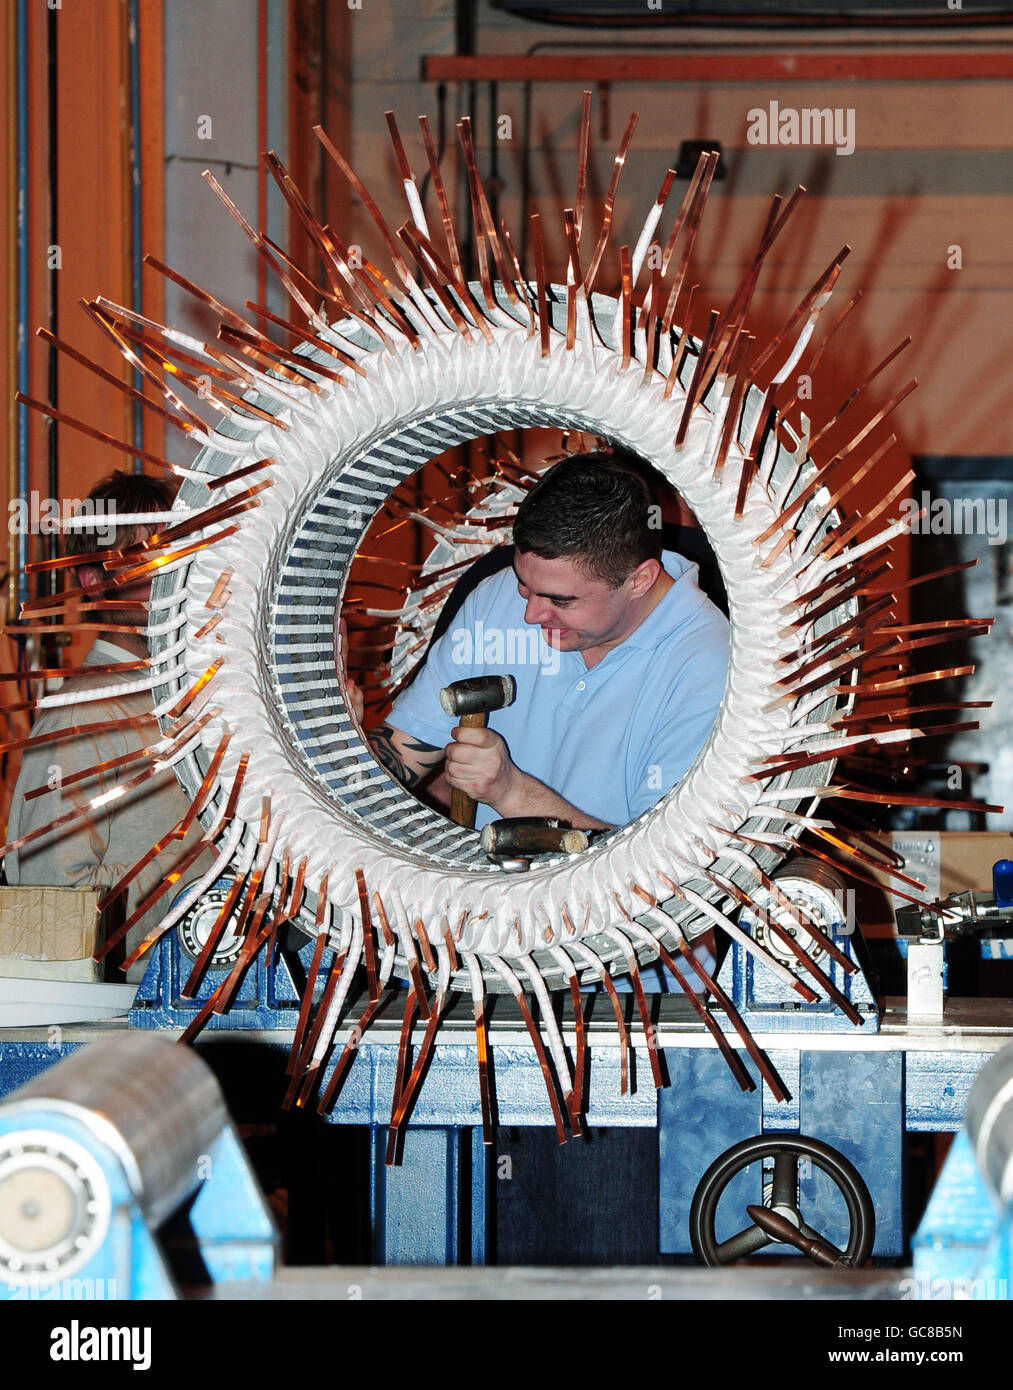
column 595, row 509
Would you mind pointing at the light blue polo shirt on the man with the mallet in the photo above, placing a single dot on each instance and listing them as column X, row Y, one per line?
column 613, row 739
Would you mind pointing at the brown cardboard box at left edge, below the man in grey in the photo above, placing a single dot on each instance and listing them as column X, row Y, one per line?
column 49, row 933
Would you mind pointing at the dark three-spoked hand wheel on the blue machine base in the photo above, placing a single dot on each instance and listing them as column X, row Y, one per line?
column 780, row 1218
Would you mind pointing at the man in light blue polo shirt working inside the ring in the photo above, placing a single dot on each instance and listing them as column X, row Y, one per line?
column 619, row 658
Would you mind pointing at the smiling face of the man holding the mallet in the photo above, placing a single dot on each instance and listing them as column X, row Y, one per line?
column 575, row 612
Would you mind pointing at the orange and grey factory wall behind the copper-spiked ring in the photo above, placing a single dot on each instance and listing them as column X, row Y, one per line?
column 923, row 199
